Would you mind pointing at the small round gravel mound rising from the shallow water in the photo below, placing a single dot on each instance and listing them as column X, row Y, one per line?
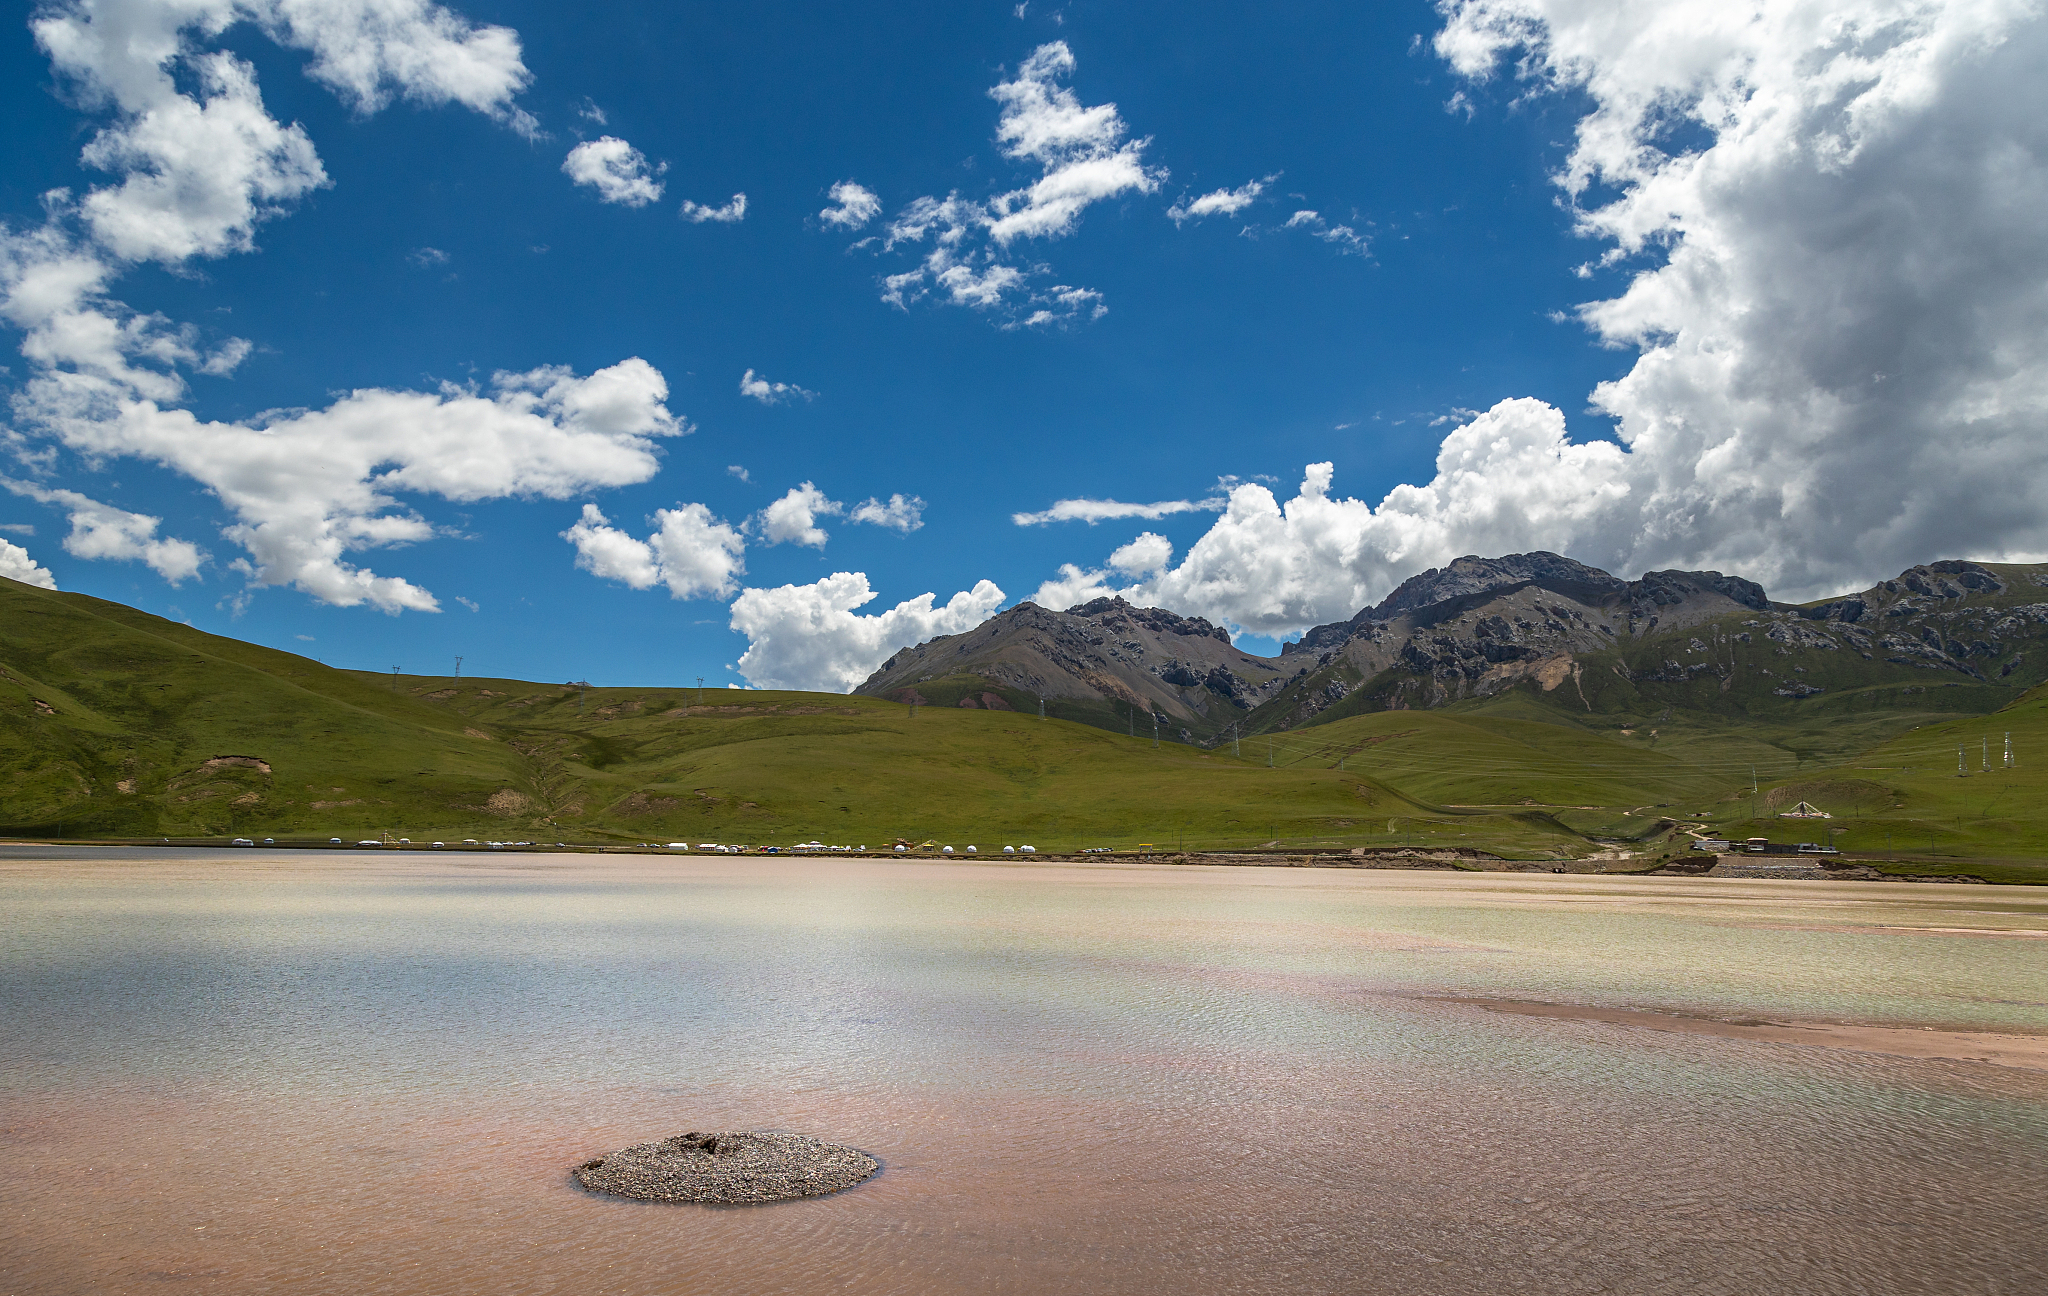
column 732, row 1170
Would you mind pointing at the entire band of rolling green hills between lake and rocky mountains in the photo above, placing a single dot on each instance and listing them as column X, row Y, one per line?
column 116, row 724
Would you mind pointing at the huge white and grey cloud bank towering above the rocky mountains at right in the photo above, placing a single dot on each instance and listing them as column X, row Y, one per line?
column 1838, row 300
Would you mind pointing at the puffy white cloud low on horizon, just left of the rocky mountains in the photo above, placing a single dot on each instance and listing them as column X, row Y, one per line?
column 814, row 638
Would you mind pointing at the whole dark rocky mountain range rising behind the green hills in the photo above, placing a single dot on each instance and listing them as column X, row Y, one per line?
column 1541, row 625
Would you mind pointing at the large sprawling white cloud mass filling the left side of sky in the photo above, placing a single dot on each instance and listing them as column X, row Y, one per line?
column 198, row 165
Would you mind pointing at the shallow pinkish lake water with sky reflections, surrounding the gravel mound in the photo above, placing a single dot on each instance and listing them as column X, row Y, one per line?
column 355, row 1074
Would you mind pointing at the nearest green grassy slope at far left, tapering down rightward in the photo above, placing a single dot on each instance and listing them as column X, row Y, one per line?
column 136, row 705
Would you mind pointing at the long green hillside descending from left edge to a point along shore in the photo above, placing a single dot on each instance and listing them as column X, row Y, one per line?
column 122, row 724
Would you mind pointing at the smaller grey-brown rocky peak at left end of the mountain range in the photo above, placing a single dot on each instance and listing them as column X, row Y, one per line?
column 1103, row 652
